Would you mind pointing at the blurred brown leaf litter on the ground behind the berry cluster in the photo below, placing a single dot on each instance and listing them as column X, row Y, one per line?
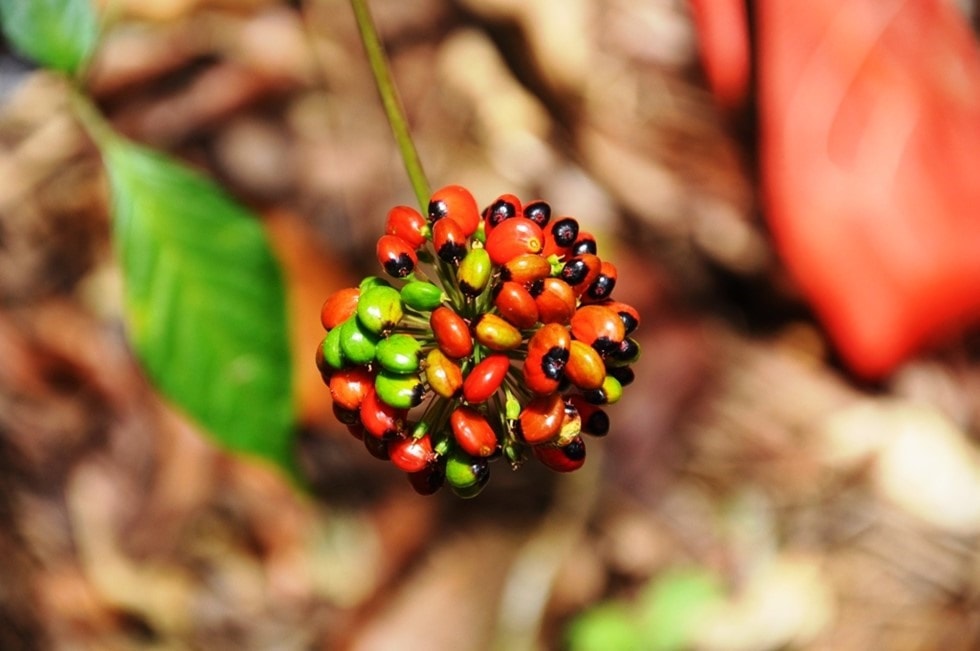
column 753, row 494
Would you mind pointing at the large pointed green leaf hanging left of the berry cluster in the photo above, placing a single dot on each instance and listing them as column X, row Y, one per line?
column 204, row 301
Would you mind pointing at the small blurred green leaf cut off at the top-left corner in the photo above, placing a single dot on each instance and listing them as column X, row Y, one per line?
column 59, row 34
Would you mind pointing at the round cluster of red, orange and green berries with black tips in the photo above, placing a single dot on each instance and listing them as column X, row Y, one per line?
column 510, row 349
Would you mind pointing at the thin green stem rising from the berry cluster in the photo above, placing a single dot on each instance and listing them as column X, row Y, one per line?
column 389, row 99
